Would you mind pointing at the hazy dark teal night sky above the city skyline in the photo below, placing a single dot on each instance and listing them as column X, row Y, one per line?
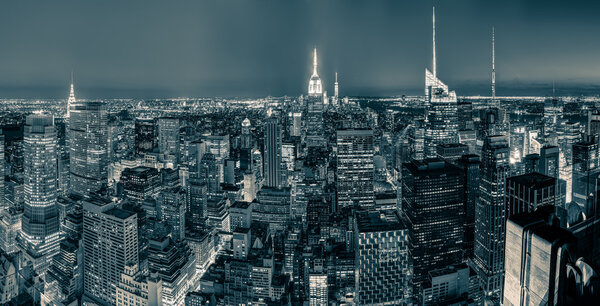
column 163, row 48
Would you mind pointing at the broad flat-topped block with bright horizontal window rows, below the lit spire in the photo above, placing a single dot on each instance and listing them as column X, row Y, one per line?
column 355, row 169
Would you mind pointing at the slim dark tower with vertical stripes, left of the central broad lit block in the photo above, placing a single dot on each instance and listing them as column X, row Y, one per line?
column 273, row 177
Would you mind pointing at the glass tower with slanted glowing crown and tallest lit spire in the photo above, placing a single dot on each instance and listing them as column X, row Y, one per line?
column 441, row 117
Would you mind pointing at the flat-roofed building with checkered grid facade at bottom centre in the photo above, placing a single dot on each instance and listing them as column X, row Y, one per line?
column 383, row 263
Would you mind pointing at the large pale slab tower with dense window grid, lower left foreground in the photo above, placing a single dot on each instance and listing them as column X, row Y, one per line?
column 110, row 242
